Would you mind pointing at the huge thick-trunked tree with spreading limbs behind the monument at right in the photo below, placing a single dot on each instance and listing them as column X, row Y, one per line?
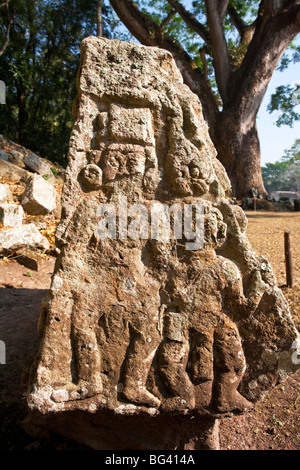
column 227, row 51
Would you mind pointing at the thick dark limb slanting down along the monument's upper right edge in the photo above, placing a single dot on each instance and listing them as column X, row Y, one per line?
column 150, row 34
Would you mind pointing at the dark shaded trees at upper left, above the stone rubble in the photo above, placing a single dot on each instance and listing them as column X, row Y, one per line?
column 39, row 67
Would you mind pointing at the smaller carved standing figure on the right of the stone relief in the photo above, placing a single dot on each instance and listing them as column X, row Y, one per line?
column 201, row 357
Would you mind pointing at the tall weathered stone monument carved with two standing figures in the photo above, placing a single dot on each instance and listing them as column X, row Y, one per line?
column 160, row 317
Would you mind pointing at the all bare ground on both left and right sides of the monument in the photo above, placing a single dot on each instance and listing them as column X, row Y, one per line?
column 273, row 424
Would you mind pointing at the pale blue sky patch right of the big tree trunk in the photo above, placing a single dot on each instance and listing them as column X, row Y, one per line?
column 275, row 140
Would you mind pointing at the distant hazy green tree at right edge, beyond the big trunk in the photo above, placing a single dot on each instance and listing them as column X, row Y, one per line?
column 284, row 175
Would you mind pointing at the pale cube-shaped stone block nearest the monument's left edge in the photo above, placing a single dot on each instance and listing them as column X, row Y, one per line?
column 39, row 197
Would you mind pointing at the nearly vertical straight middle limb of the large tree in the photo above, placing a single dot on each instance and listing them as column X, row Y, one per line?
column 219, row 48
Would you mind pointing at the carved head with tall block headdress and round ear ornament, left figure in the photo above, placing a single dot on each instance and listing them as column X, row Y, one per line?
column 123, row 148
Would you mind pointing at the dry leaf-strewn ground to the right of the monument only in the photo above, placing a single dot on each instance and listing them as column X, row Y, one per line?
column 273, row 424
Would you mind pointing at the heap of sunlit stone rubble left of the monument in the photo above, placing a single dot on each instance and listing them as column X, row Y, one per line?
column 42, row 192
